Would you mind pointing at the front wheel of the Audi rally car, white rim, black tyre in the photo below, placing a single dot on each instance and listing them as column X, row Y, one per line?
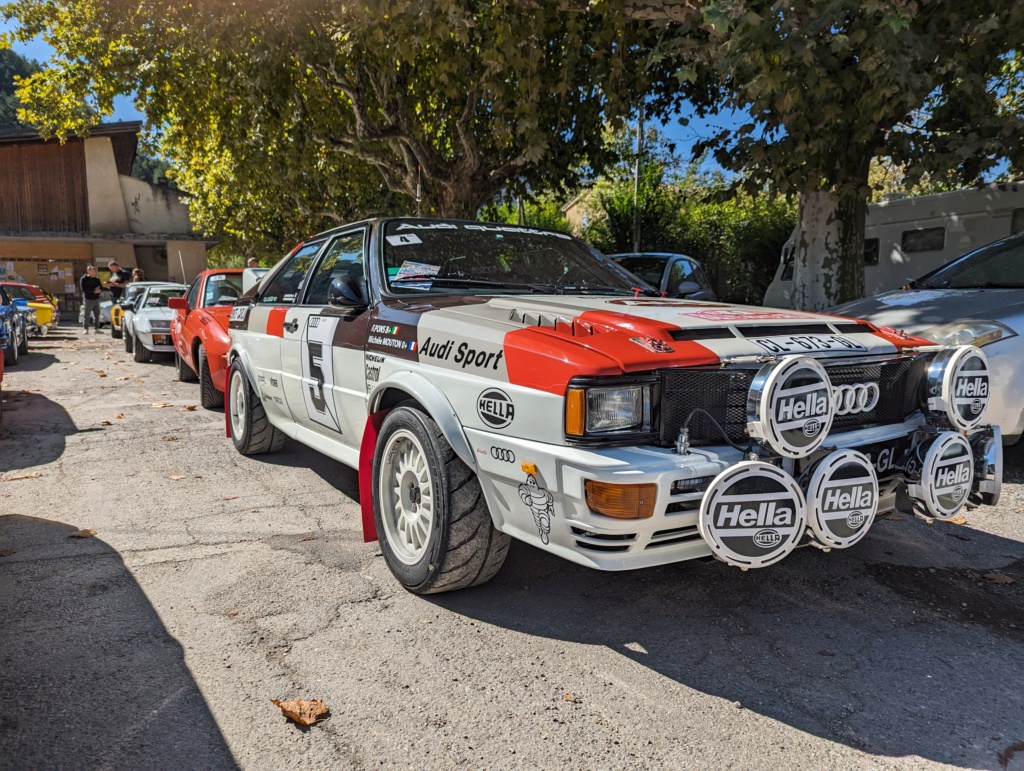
column 436, row 532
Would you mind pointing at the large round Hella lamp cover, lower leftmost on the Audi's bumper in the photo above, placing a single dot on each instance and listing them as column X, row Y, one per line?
column 753, row 516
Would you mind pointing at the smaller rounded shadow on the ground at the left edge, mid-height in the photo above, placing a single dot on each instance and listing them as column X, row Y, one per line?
column 34, row 431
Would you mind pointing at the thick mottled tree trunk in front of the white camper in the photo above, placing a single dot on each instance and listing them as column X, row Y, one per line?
column 829, row 255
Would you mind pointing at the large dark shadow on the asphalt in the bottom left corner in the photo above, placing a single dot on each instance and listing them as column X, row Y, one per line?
column 90, row 677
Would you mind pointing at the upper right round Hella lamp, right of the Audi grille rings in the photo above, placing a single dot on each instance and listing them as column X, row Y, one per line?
column 959, row 387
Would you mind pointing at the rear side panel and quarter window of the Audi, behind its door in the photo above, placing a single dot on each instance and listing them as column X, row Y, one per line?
column 274, row 313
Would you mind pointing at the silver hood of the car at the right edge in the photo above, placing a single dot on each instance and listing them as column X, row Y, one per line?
column 919, row 310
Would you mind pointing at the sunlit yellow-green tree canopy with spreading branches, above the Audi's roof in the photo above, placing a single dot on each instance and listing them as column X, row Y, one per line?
column 454, row 99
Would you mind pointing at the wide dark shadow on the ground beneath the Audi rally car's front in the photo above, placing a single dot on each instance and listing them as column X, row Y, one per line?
column 899, row 648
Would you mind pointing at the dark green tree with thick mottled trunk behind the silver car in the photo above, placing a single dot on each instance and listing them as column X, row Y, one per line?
column 831, row 84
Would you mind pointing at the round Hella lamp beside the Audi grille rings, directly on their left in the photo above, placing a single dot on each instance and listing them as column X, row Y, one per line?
column 791, row 406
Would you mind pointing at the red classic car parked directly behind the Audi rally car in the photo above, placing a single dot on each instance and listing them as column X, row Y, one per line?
column 199, row 332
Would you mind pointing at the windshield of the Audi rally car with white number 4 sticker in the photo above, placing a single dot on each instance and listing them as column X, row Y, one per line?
column 423, row 256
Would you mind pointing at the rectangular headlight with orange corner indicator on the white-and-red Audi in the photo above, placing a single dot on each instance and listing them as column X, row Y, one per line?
column 609, row 411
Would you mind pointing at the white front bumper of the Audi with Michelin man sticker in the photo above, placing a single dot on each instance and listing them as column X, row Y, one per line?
column 551, row 511
